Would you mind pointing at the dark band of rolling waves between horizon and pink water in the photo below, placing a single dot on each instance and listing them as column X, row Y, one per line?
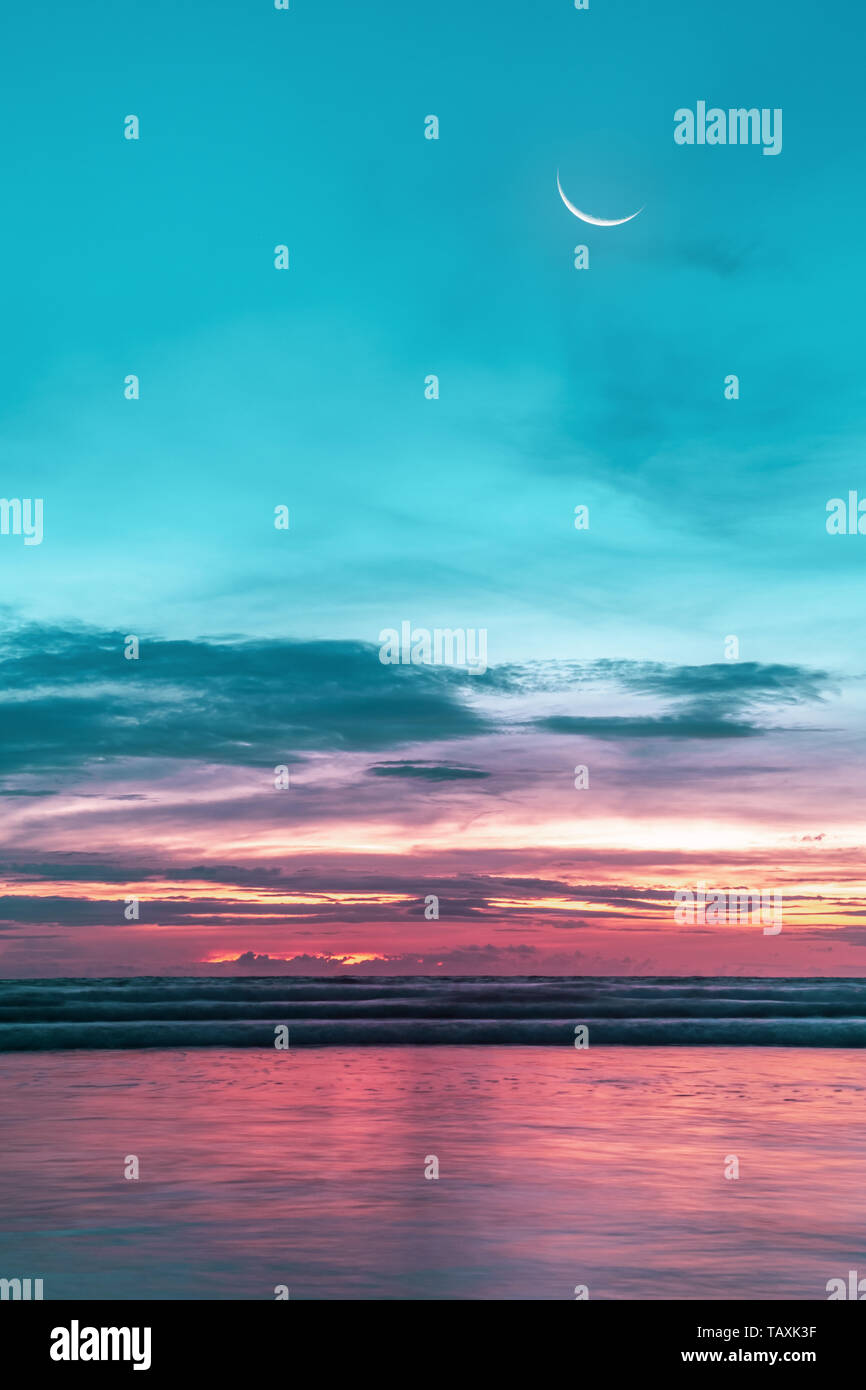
column 45, row 1015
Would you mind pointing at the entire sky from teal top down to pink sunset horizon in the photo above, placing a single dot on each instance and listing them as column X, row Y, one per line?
column 608, row 648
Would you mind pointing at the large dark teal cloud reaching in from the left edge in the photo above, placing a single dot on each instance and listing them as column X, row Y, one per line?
column 72, row 698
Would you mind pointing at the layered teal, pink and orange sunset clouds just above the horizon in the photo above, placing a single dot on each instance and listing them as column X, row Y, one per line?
column 166, row 765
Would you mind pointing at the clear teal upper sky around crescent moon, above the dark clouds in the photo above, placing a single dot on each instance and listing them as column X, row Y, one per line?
column 451, row 258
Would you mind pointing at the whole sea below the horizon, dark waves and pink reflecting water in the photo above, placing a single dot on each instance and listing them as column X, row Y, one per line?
column 698, row 1171
